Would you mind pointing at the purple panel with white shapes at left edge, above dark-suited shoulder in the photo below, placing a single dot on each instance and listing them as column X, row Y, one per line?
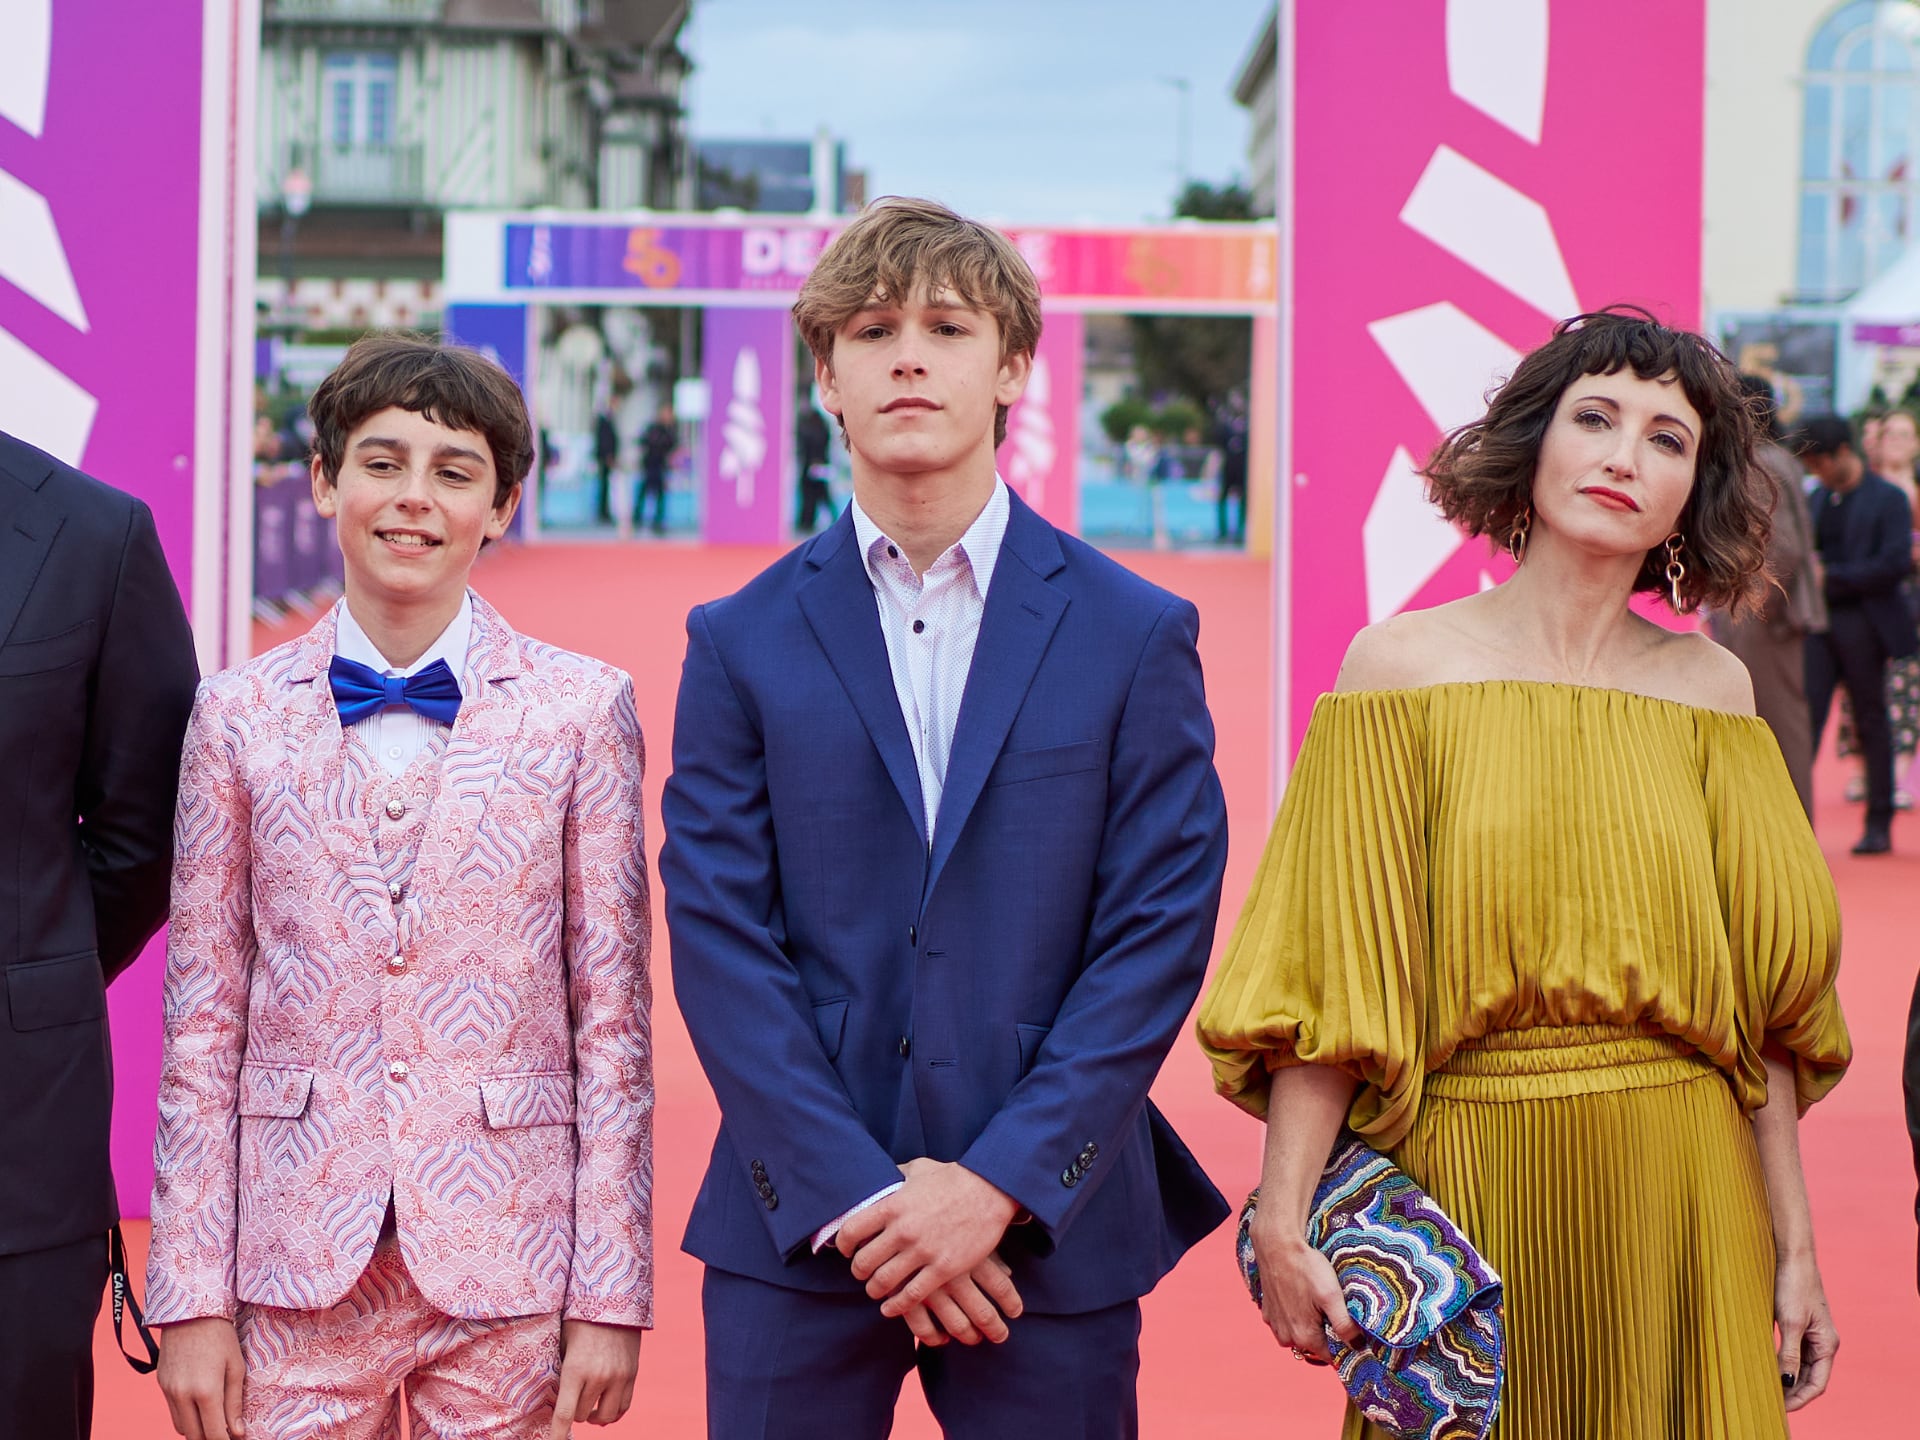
column 101, row 249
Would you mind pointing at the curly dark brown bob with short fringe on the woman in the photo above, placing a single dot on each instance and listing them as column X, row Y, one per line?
column 1483, row 475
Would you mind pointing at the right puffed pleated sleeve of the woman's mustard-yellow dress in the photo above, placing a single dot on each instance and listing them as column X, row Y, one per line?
column 1783, row 921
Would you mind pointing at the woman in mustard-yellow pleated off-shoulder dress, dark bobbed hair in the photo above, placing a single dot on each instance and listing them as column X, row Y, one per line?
column 1543, row 921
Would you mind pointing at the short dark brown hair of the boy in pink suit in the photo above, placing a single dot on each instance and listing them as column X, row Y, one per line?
column 448, row 385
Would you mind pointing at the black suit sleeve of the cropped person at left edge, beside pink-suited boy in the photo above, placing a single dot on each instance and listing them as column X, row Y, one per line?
column 143, row 692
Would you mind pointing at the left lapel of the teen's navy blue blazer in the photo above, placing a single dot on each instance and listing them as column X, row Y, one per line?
column 838, row 602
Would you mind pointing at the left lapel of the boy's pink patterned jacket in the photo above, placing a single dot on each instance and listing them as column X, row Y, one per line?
column 320, row 752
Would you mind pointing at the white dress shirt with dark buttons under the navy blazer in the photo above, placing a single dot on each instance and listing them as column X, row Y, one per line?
column 932, row 625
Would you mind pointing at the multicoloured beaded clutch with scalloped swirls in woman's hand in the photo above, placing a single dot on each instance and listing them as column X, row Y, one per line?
column 1433, row 1358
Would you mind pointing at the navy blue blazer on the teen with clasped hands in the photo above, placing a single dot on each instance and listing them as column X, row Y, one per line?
column 1003, row 997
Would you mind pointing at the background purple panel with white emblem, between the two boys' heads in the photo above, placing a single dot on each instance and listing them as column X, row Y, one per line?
column 750, row 387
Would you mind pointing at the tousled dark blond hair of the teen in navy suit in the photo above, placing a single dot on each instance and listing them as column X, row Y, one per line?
column 900, row 245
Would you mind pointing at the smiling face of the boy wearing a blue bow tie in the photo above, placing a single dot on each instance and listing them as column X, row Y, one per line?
column 414, row 502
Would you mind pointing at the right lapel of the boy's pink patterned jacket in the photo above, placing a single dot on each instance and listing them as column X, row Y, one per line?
column 477, row 752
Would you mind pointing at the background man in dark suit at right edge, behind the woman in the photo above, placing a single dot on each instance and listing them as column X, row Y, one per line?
column 1863, row 529
